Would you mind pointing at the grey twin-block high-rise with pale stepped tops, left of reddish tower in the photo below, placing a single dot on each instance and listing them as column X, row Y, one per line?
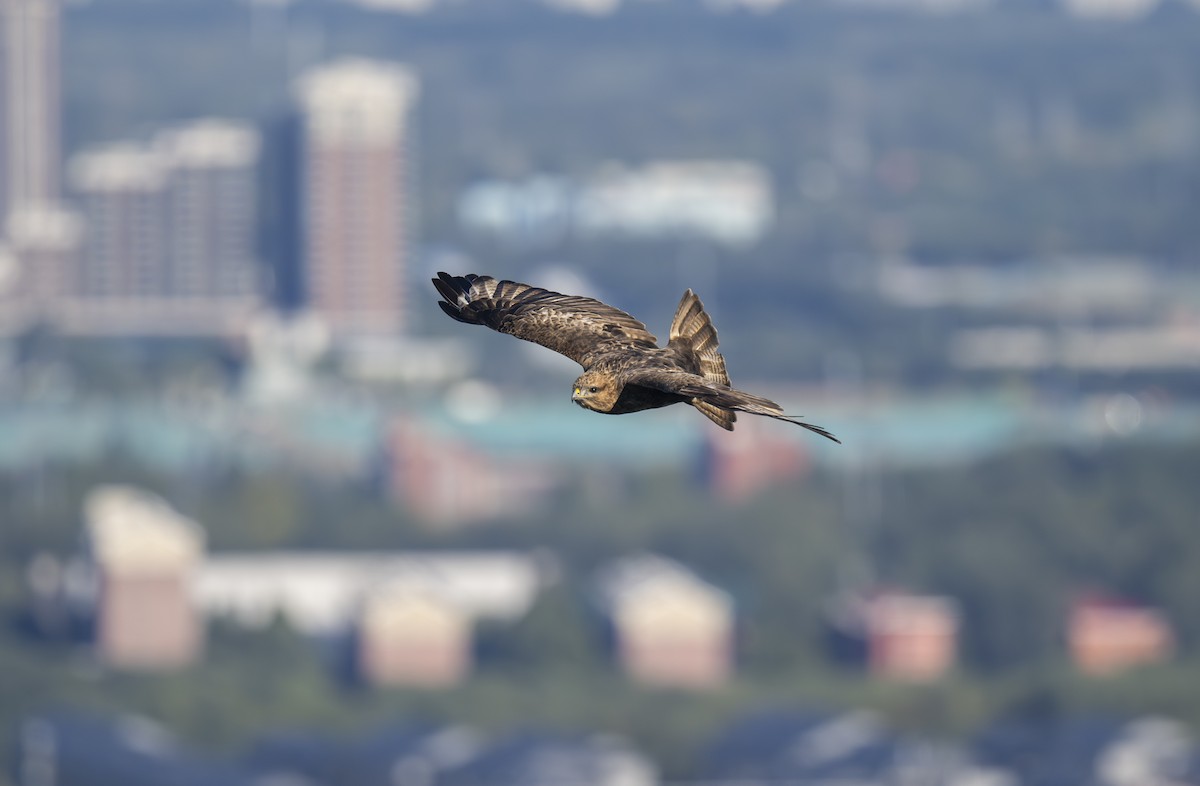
column 171, row 231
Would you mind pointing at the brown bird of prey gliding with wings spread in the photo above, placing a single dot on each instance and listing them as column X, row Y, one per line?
column 625, row 370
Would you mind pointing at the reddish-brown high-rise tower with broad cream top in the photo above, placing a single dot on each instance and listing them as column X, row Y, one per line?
column 355, row 211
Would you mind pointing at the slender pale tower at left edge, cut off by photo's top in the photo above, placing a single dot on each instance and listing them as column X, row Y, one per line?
column 29, row 106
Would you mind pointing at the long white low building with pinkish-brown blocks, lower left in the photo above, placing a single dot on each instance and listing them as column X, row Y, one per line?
column 151, row 585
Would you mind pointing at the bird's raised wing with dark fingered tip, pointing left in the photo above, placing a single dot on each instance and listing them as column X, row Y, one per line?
column 580, row 328
